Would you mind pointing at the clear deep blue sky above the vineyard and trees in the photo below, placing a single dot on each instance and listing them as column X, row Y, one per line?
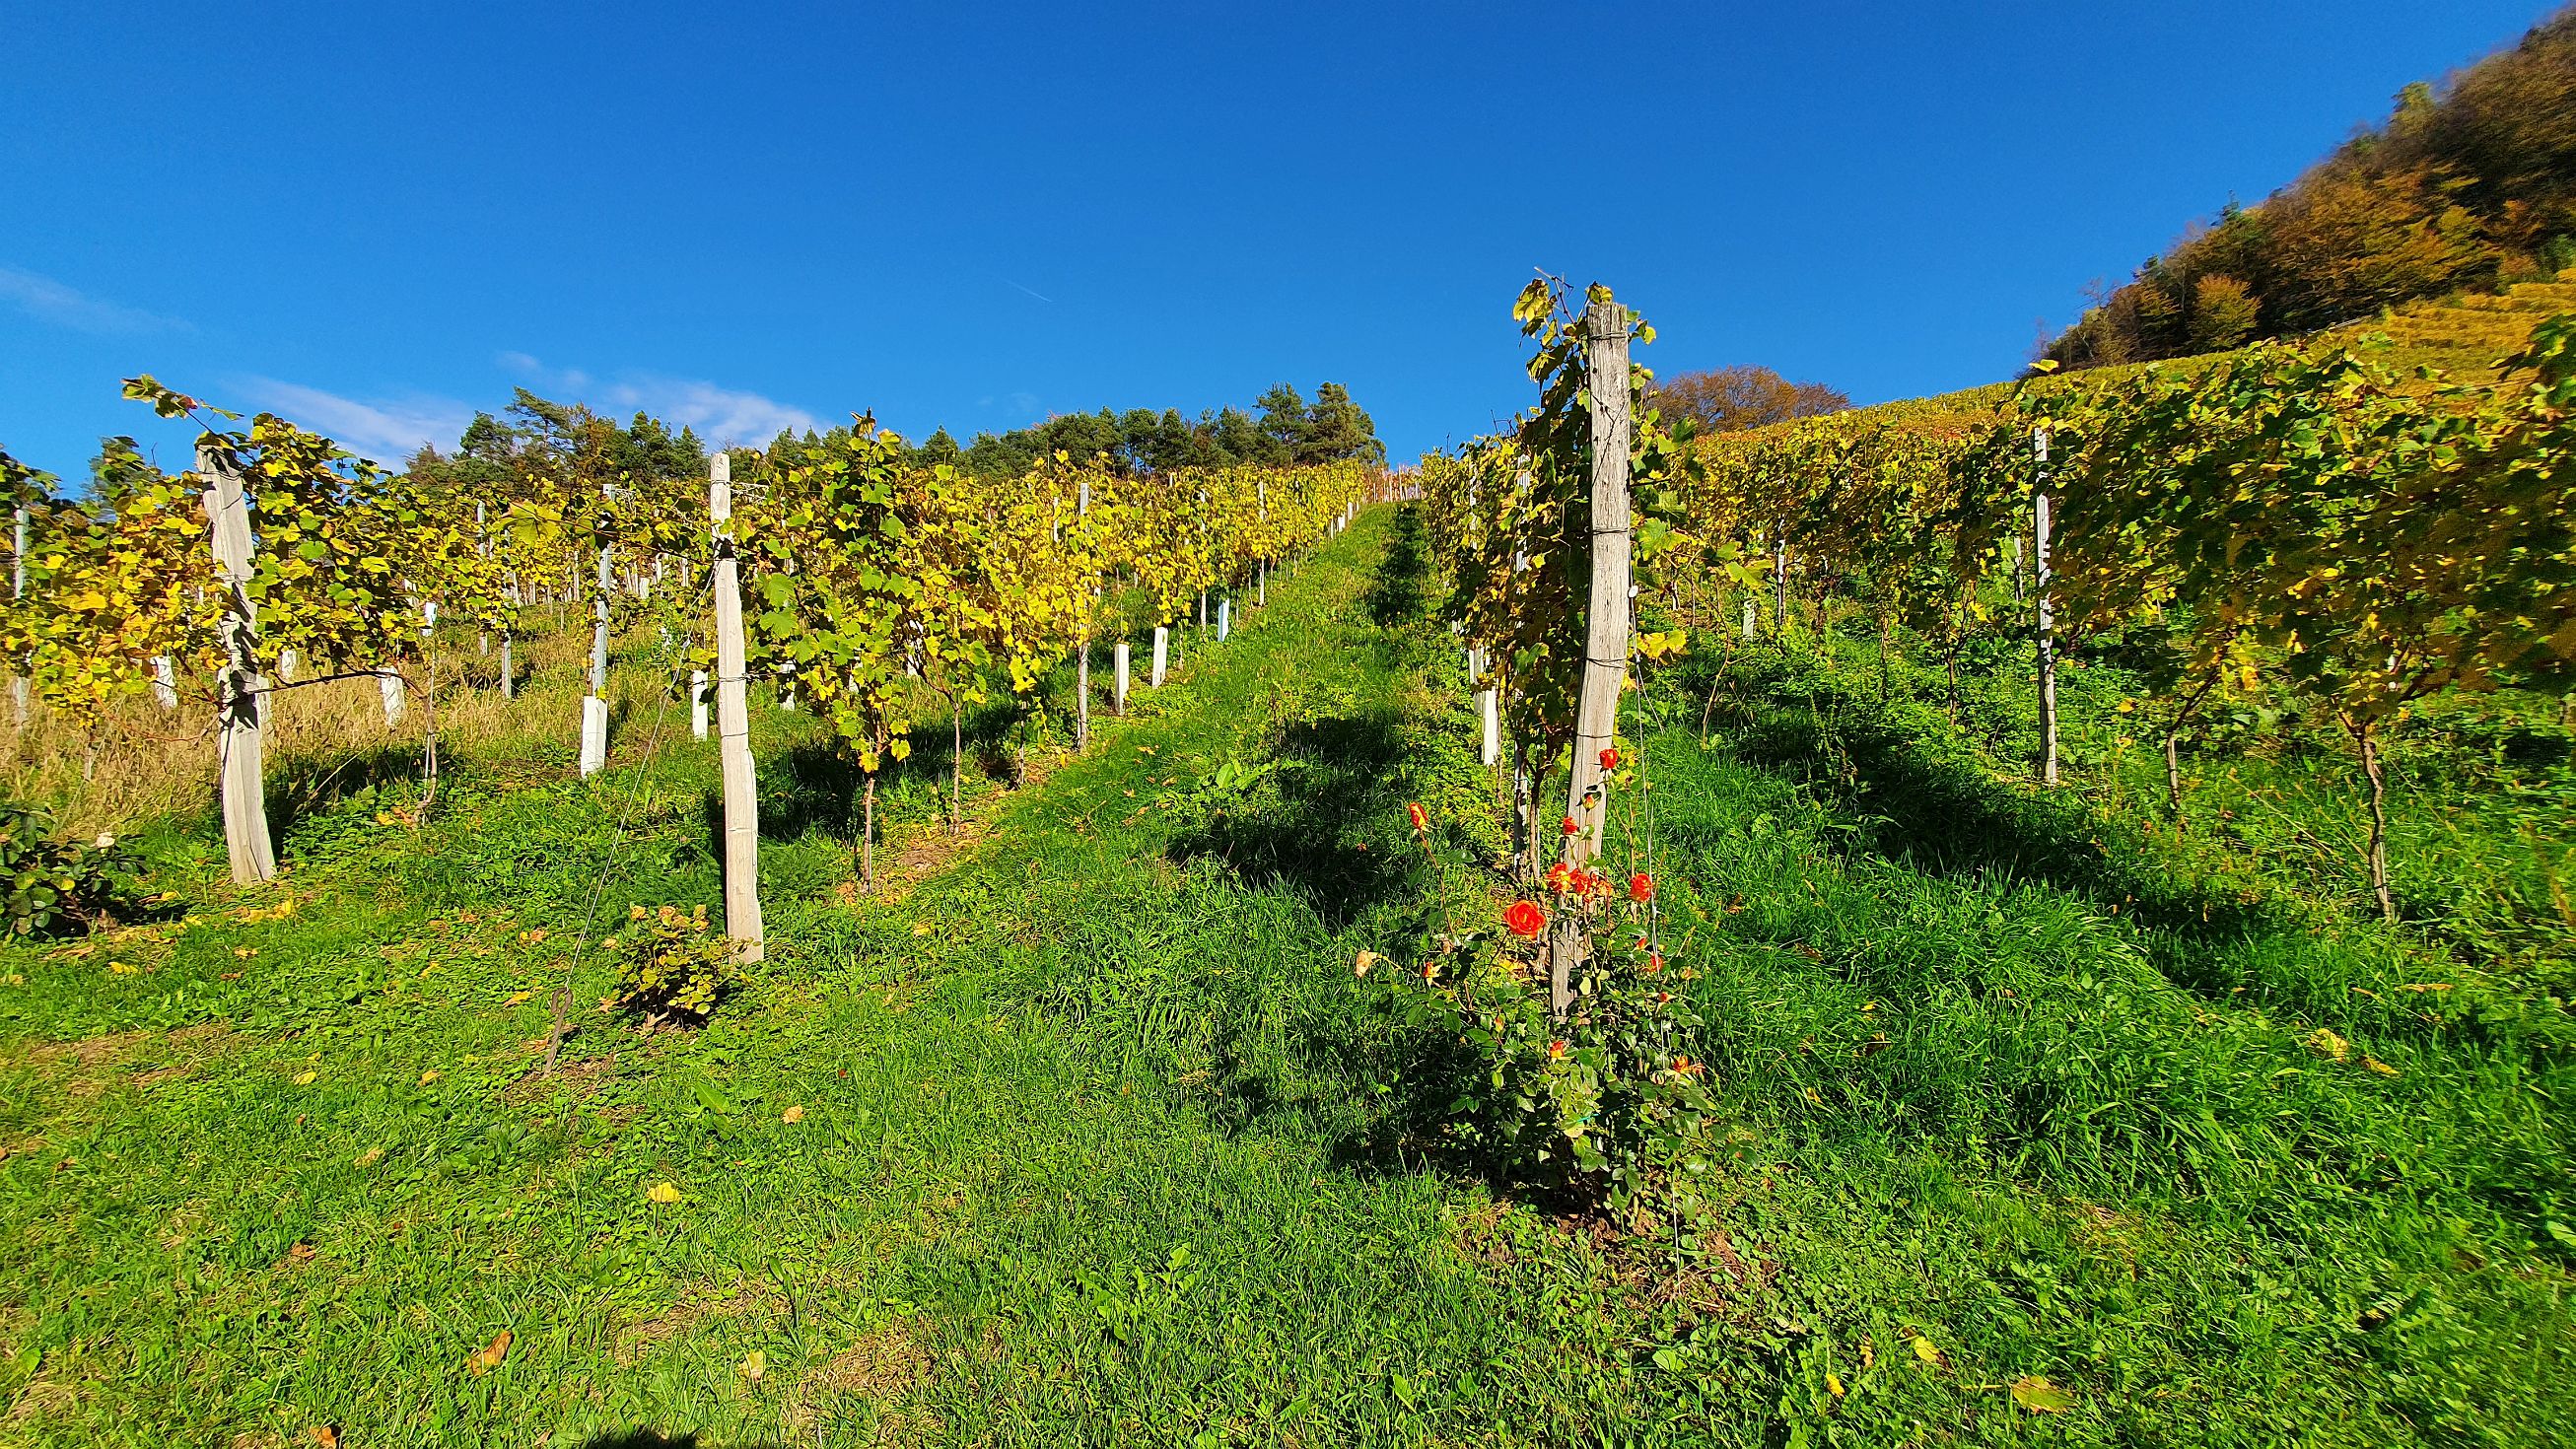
column 380, row 217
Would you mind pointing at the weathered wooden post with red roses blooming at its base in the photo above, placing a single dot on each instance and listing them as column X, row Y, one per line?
column 1606, row 640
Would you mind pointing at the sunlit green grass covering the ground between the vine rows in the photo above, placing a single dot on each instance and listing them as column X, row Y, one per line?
column 1101, row 1144
